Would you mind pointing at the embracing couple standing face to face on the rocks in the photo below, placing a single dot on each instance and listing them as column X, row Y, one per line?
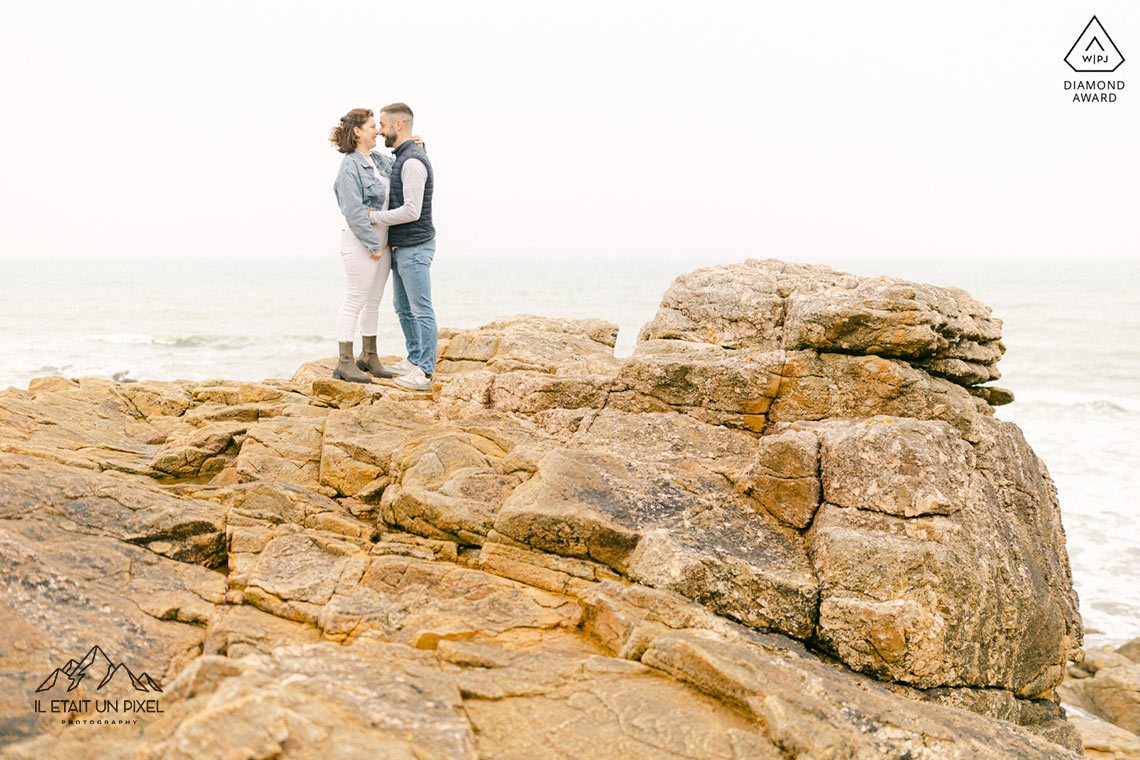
column 387, row 206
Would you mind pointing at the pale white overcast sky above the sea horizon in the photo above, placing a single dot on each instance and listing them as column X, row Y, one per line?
column 771, row 129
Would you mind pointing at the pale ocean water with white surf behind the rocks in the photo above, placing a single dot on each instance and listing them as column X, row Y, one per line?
column 1072, row 330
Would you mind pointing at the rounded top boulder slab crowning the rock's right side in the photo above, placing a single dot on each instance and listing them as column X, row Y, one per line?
column 772, row 306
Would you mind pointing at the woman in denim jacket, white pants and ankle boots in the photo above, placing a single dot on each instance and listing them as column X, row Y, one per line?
column 362, row 186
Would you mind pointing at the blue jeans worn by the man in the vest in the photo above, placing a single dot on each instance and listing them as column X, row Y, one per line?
column 412, row 299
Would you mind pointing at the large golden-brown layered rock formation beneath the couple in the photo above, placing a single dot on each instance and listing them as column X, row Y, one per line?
column 788, row 526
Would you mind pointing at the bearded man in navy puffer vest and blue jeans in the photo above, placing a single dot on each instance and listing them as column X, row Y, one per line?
column 412, row 239
